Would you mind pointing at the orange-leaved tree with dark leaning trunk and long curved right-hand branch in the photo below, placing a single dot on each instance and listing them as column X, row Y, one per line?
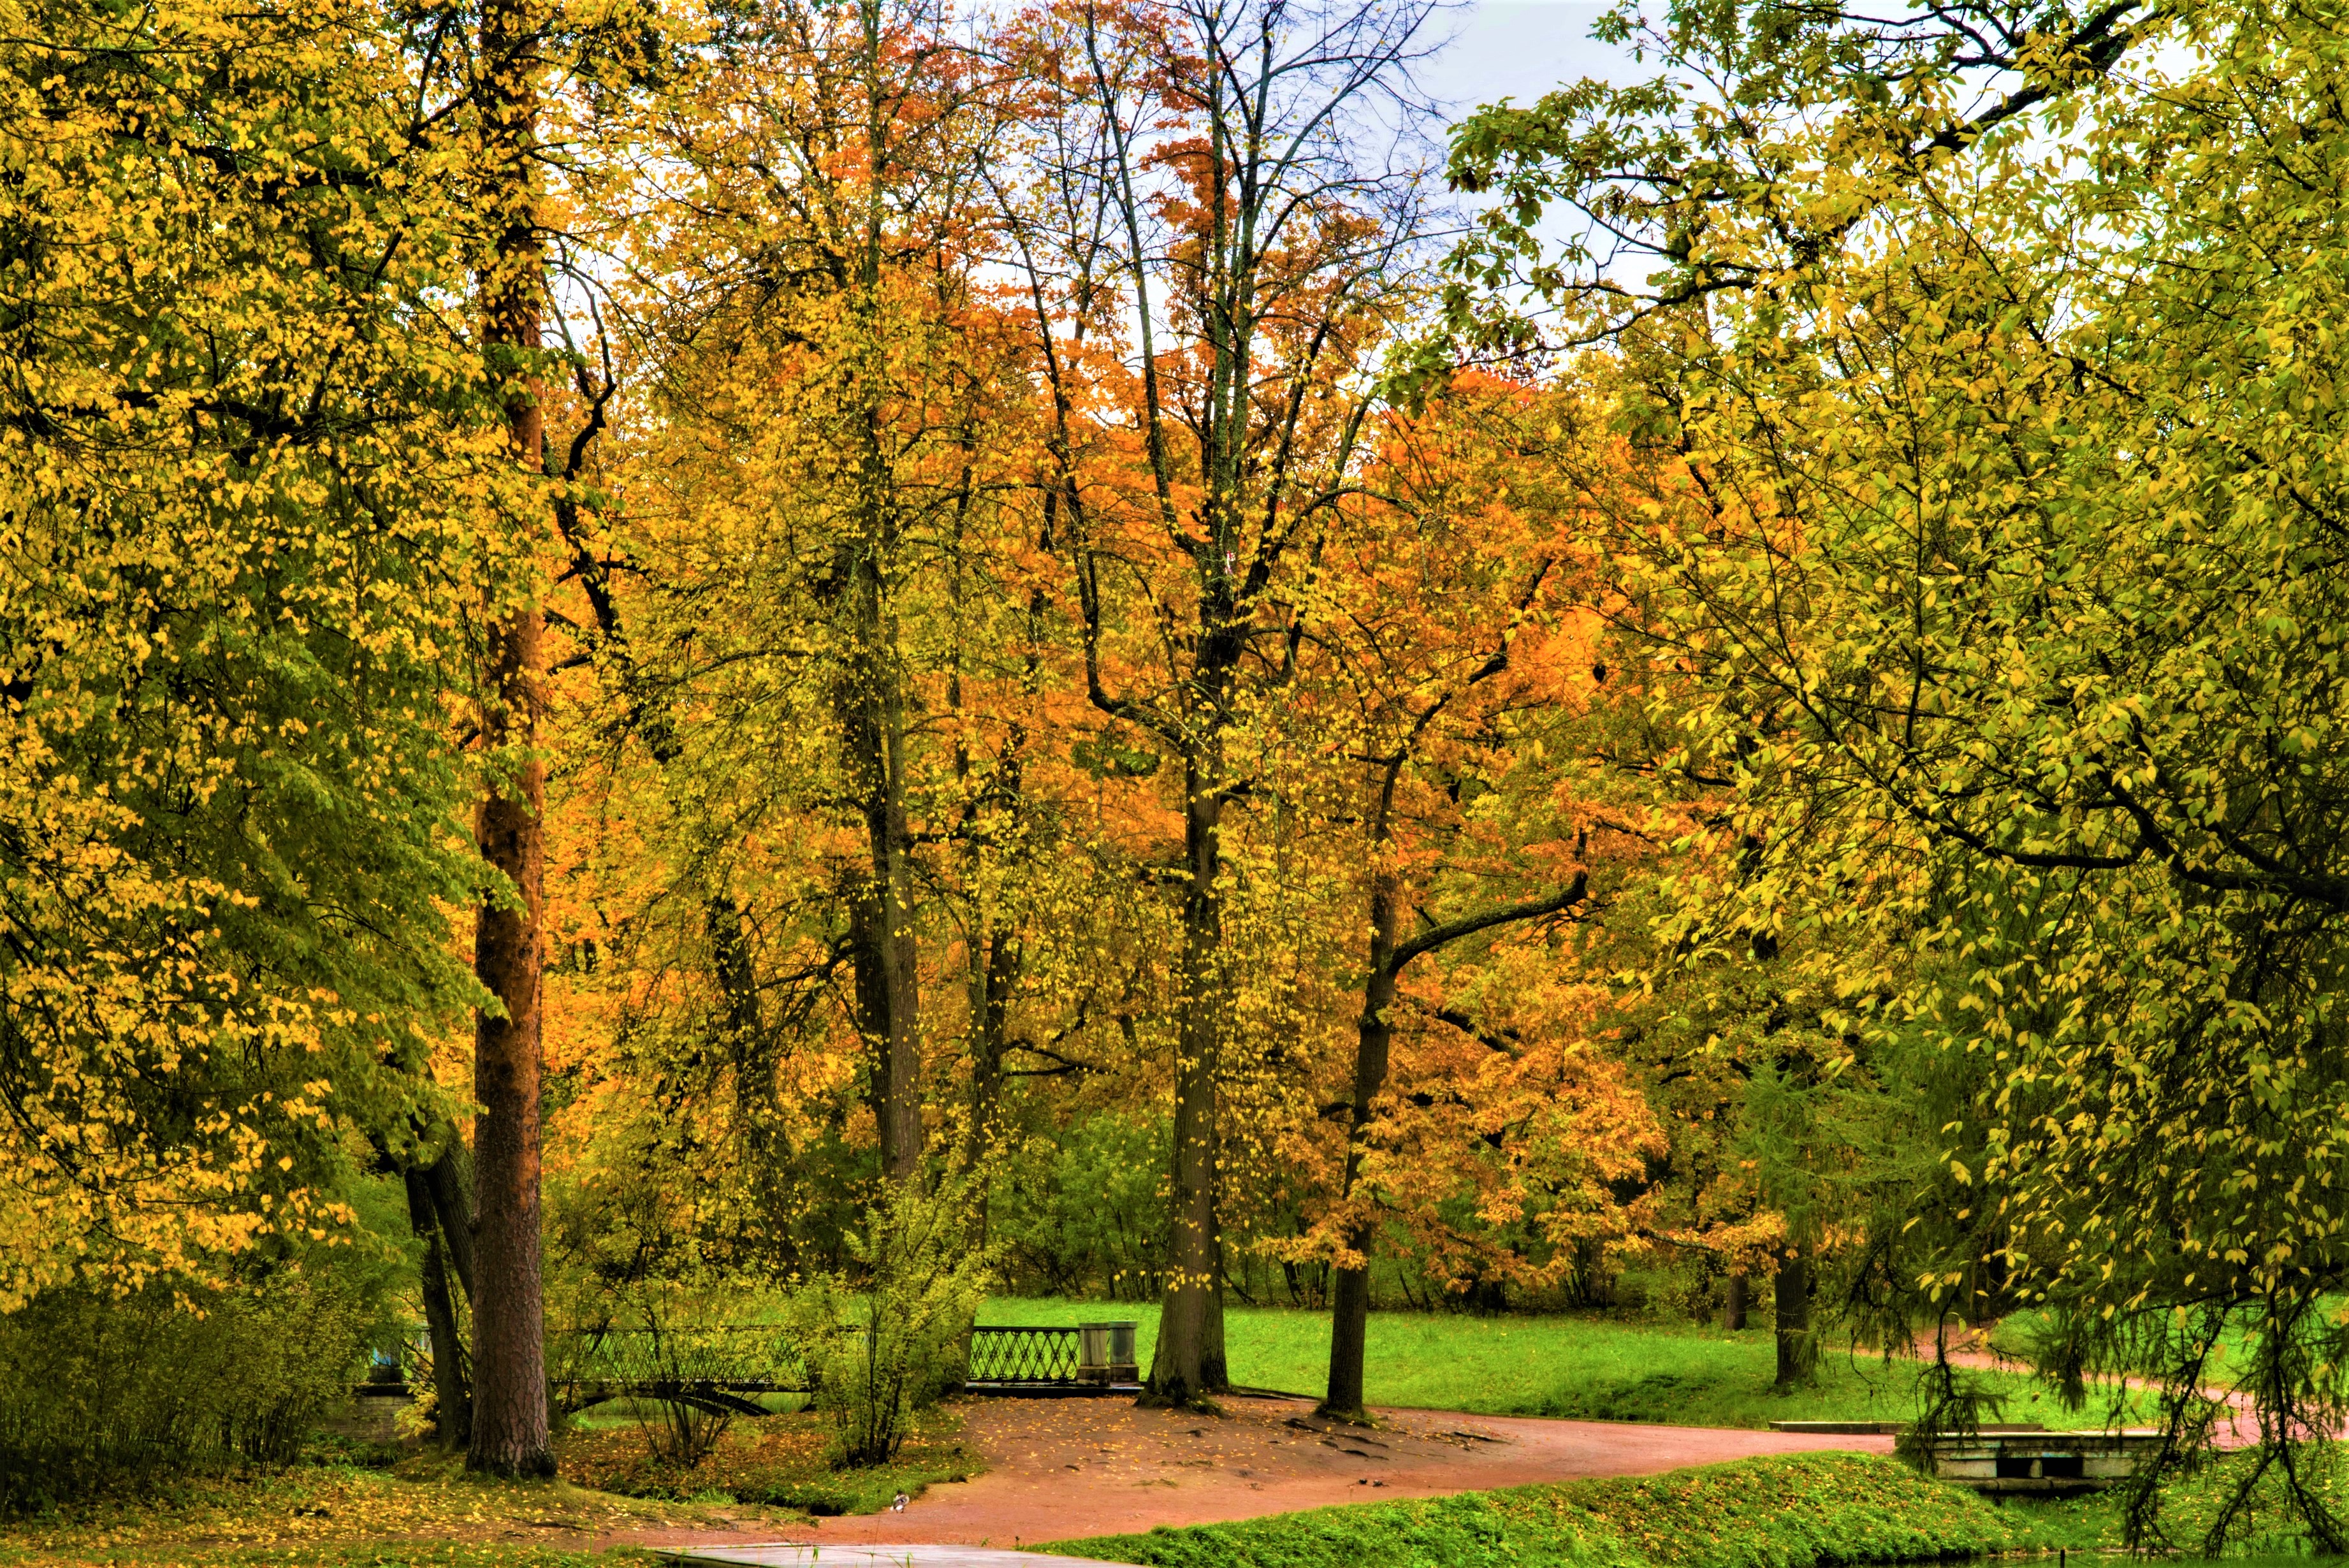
column 1458, row 640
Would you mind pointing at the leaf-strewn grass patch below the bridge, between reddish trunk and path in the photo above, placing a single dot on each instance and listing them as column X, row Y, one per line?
column 776, row 1461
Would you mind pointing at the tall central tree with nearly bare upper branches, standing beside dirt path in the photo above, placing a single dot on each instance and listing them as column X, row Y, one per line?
column 1223, row 177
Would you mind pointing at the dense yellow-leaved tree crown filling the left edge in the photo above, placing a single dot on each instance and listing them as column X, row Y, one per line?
column 248, row 553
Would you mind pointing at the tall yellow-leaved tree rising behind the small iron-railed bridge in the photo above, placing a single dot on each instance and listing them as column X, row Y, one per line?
column 814, row 602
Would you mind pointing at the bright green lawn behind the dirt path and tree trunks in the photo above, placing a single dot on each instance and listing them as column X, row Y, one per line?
column 1577, row 1367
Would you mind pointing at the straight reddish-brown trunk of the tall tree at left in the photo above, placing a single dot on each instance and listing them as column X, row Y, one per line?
column 511, row 1381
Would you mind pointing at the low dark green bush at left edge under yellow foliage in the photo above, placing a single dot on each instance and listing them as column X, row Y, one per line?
column 107, row 1388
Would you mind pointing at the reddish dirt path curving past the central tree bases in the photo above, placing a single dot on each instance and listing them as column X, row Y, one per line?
column 1065, row 1468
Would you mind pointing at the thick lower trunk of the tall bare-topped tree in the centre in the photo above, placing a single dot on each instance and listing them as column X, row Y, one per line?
column 1190, row 1360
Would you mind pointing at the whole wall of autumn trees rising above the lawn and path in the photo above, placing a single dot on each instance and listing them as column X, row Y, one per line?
column 664, row 654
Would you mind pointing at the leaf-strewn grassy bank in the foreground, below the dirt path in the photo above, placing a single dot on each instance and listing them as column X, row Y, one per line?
column 1808, row 1510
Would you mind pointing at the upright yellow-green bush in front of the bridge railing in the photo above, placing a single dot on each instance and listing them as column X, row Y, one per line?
column 896, row 1344
